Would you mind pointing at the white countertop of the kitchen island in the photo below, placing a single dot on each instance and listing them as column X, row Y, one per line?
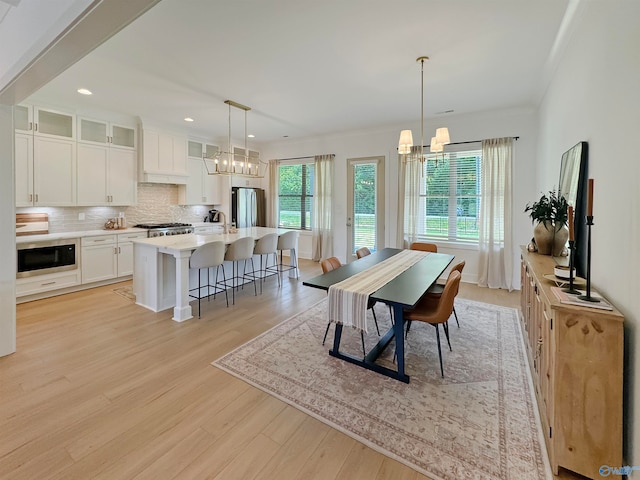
column 192, row 241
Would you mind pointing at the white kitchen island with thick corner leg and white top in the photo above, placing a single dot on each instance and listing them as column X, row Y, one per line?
column 161, row 276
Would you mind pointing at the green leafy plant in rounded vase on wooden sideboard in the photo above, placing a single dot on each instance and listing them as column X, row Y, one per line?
column 550, row 213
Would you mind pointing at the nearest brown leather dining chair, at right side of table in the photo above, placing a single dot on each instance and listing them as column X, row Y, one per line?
column 436, row 311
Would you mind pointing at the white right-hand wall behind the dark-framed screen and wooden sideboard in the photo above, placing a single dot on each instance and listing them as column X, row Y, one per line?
column 594, row 96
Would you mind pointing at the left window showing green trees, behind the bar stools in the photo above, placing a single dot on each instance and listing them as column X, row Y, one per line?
column 295, row 194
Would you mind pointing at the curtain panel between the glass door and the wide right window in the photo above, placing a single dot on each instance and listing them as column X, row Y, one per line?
column 409, row 178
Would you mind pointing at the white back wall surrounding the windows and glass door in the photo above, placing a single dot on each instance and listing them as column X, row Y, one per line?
column 384, row 142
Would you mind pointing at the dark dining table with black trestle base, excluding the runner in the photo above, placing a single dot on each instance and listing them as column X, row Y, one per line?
column 401, row 292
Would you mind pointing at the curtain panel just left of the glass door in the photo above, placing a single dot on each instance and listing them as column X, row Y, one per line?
column 322, row 239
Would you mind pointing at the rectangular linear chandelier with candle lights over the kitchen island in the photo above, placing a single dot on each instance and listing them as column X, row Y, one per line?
column 234, row 161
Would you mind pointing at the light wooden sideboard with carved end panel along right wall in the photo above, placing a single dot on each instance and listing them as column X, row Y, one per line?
column 576, row 359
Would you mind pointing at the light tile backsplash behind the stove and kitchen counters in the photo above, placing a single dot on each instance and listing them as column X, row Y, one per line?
column 156, row 203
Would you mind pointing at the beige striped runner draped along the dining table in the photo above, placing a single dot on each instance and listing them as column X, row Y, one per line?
column 348, row 299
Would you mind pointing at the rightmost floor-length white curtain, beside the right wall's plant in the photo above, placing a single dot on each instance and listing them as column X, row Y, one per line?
column 495, row 232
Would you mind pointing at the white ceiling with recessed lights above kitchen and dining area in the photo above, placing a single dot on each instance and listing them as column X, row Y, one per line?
column 309, row 67
